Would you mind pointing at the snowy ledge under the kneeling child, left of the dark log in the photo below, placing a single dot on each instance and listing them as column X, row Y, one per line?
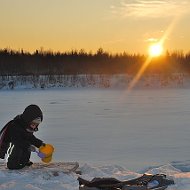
column 37, row 177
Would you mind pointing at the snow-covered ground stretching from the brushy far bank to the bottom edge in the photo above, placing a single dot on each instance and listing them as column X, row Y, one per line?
column 111, row 133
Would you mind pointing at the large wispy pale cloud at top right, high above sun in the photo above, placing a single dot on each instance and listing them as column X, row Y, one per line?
column 151, row 8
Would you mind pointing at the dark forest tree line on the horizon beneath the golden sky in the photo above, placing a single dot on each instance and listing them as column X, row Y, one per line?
column 75, row 62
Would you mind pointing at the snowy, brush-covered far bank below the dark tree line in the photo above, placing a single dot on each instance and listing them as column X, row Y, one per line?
column 120, row 81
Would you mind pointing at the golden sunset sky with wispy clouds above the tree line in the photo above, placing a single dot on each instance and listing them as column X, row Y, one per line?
column 114, row 25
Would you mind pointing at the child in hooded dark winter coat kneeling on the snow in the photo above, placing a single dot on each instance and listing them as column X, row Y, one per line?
column 16, row 137
